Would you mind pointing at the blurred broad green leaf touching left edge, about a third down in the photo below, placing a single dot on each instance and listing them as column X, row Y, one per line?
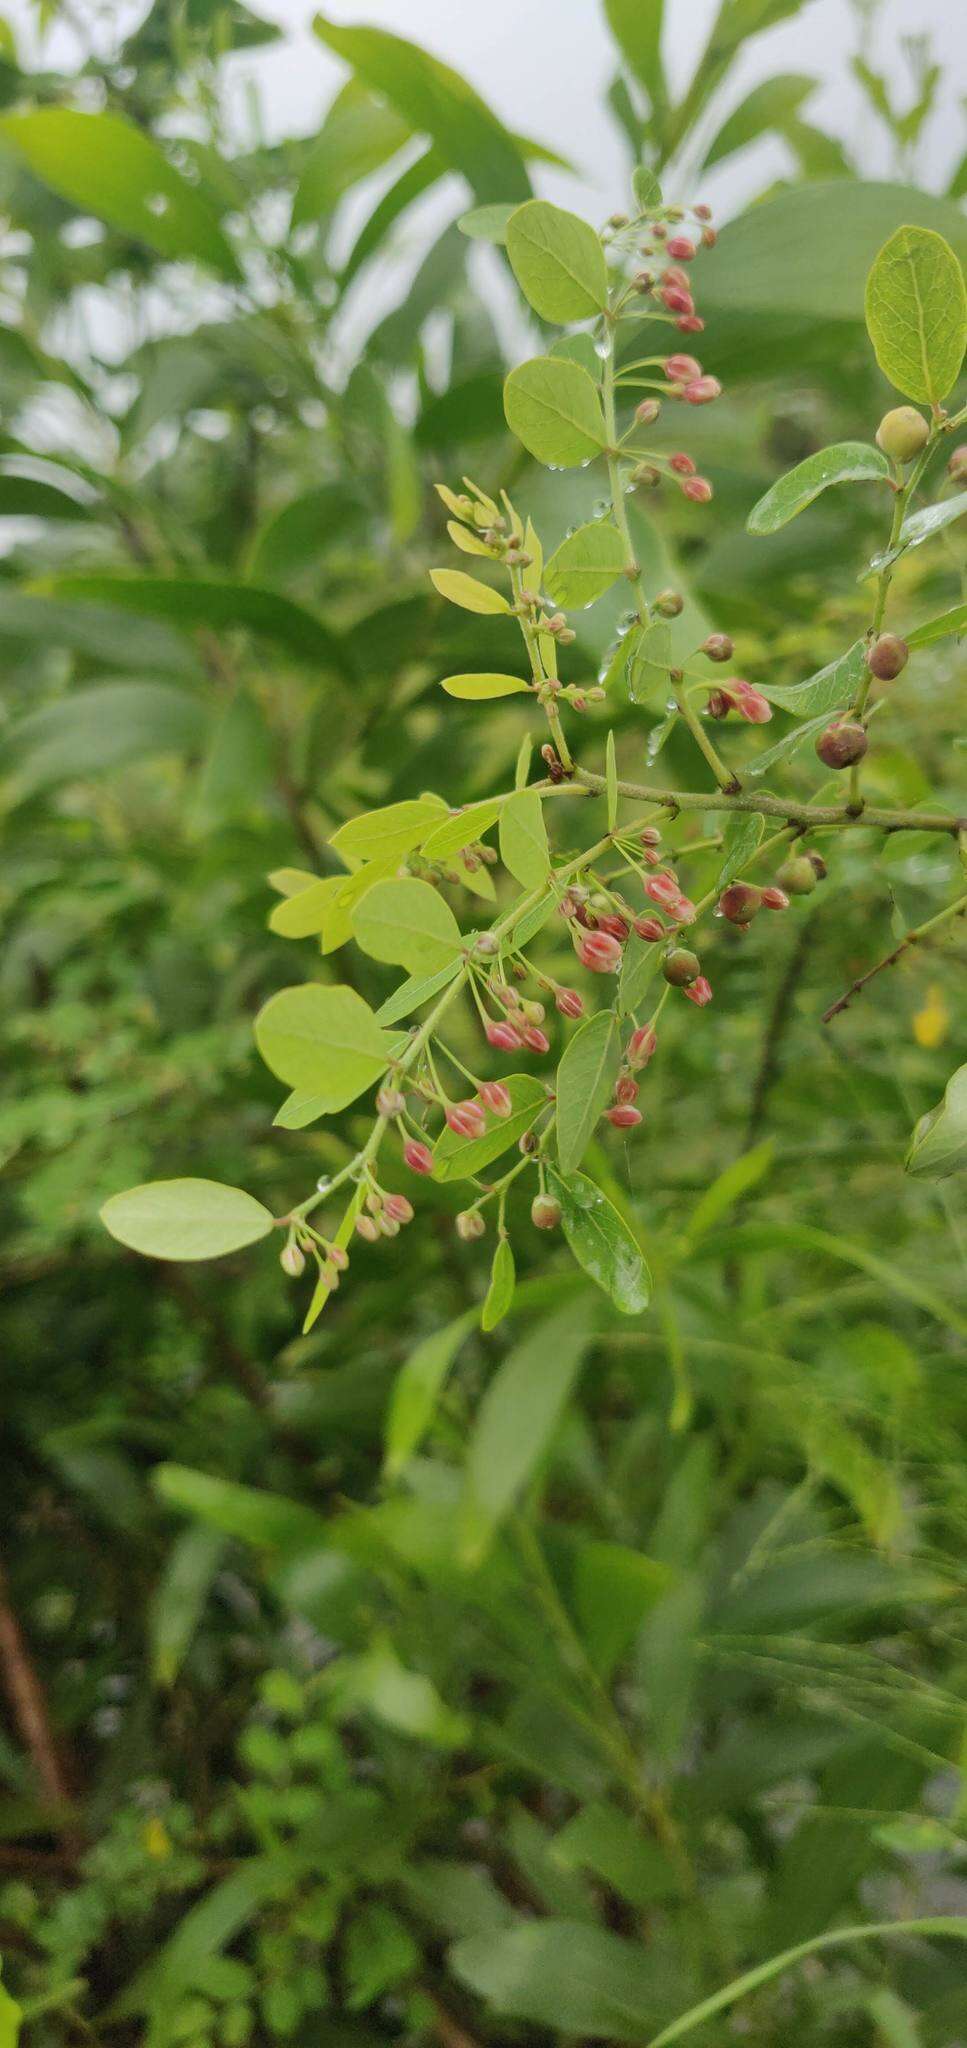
column 95, row 730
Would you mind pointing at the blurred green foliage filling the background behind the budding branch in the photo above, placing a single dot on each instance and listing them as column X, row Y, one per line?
column 302, row 1770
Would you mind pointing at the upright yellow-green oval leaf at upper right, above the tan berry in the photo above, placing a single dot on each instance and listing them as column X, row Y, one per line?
column 917, row 314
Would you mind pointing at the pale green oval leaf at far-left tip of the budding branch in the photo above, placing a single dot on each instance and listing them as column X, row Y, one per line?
column 185, row 1220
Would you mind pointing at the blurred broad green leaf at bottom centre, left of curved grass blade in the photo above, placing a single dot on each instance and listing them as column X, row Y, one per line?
column 566, row 1977
